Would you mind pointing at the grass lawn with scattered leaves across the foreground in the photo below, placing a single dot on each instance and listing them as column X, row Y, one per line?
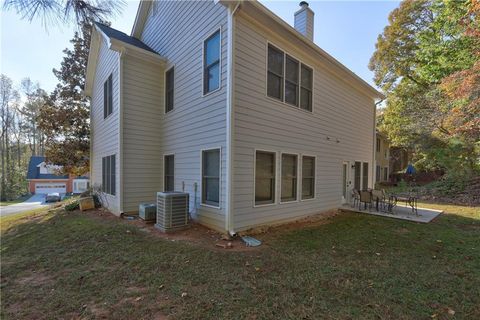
column 356, row 266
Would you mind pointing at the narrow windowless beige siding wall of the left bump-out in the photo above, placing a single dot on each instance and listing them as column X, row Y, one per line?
column 142, row 116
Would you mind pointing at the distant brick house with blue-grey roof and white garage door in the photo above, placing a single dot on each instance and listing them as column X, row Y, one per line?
column 44, row 178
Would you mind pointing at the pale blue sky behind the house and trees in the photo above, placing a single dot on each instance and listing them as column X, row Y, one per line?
column 347, row 30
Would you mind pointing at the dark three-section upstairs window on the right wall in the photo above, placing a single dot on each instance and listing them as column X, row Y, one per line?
column 289, row 80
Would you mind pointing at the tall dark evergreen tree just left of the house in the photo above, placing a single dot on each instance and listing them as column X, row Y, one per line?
column 65, row 118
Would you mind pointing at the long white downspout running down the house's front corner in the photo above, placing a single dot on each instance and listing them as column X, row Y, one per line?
column 232, row 8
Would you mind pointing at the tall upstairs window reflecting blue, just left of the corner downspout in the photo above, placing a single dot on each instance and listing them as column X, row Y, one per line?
column 211, row 63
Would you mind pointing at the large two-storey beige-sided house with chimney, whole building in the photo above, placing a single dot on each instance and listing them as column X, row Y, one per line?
column 226, row 101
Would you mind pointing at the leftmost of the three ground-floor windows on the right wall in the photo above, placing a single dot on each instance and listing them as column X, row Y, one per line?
column 265, row 169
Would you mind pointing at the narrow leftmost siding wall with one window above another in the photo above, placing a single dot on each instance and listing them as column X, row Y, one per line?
column 105, row 132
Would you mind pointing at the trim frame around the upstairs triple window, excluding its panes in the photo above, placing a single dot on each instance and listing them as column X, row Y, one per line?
column 282, row 101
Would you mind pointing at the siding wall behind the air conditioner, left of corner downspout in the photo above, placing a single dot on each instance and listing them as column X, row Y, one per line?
column 176, row 30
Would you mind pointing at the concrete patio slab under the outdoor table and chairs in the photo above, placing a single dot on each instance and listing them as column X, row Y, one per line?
column 424, row 215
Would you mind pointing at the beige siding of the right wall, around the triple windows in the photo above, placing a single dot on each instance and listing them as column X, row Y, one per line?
column 340, row 112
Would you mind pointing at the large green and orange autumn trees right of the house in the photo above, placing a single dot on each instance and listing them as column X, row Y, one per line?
column 426, row 61
